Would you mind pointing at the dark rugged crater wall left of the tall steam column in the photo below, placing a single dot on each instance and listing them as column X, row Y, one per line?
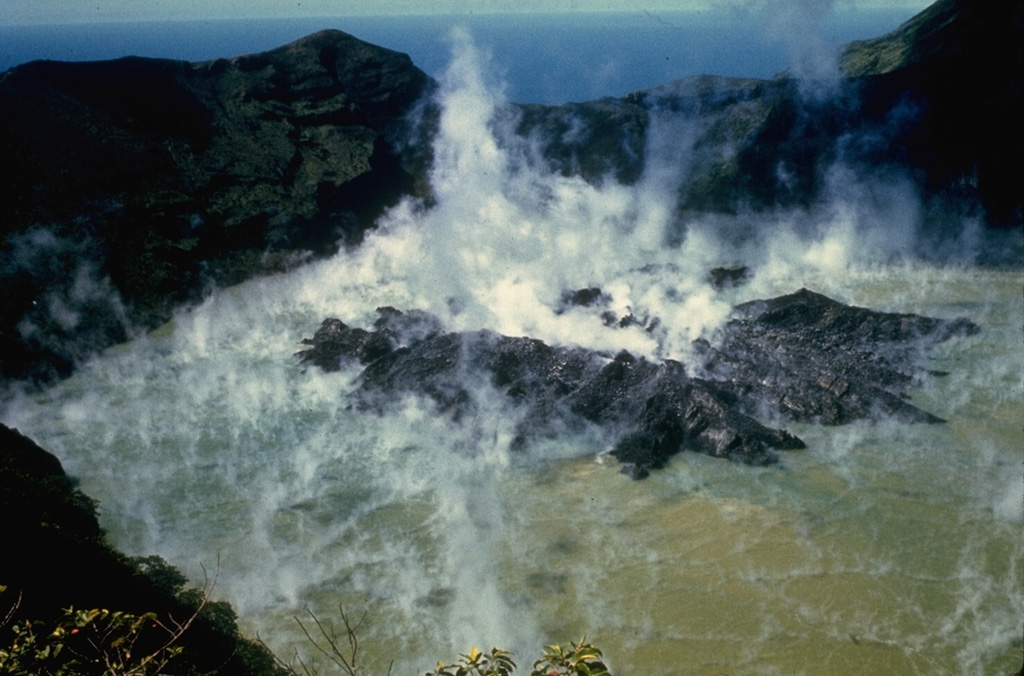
column 158, row 179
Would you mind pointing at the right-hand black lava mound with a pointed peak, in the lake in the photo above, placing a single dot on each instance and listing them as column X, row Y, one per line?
column 812, row 359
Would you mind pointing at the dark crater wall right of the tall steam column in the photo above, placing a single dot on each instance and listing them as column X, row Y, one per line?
column 933, row 105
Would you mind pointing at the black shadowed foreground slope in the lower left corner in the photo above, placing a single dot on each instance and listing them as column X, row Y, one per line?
column 56, row 557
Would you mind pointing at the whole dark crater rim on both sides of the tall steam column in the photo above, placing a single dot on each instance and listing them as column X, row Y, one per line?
column 154, row 181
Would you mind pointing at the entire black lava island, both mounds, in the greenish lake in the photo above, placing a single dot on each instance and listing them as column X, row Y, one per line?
column 801, row 357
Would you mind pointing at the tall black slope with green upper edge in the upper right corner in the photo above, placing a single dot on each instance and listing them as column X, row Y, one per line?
column 958, row 64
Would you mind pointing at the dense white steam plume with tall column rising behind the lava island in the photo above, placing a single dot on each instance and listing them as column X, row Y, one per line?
column 507, row 237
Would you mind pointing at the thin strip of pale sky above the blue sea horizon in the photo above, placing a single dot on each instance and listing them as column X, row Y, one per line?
column 75, row 12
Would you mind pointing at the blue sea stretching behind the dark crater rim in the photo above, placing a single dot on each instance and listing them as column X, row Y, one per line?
column 548, row 59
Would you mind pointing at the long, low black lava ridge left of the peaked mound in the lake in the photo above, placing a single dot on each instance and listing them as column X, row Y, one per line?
column 653, row 410
